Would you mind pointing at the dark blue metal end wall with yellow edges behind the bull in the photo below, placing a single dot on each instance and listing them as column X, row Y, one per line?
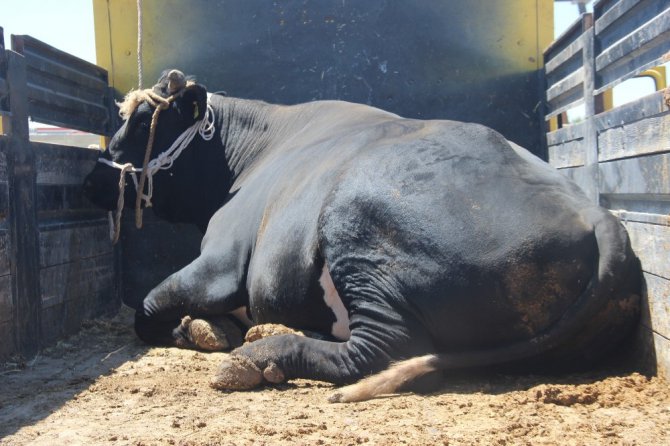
column 475, row 61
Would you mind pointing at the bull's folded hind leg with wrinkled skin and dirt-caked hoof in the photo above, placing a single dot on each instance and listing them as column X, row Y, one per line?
column 371, row 348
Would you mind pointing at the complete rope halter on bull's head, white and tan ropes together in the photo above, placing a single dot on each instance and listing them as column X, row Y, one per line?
column 205, row 128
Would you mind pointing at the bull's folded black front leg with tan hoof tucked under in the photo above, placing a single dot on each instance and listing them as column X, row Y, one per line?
column 190, row 309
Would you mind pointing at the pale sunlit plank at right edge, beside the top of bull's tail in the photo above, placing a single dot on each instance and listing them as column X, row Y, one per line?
column 651, row 244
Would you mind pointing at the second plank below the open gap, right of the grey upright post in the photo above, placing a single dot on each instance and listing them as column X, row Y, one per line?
column 639, row 138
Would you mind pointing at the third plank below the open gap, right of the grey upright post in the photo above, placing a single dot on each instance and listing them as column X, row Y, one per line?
column 642, row 175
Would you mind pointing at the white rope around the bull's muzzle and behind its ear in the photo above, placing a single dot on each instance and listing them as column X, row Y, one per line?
column 205, row 128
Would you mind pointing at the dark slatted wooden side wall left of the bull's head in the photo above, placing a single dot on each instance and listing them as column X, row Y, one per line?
column 57, row 265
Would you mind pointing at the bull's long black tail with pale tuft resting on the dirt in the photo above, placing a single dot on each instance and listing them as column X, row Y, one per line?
column 616, row 278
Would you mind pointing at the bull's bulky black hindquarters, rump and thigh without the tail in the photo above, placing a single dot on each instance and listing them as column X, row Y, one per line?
column 483, row 246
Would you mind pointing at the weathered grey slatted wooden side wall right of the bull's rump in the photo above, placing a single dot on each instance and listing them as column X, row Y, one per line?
column 619, row 155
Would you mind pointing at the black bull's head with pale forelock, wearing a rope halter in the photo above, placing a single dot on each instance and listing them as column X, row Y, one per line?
column 183, row 105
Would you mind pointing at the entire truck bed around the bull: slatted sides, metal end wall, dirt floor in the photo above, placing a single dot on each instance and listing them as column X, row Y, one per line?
column 73, row 372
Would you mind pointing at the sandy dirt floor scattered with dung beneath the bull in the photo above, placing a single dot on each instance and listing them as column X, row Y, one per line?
column 103, row 386
